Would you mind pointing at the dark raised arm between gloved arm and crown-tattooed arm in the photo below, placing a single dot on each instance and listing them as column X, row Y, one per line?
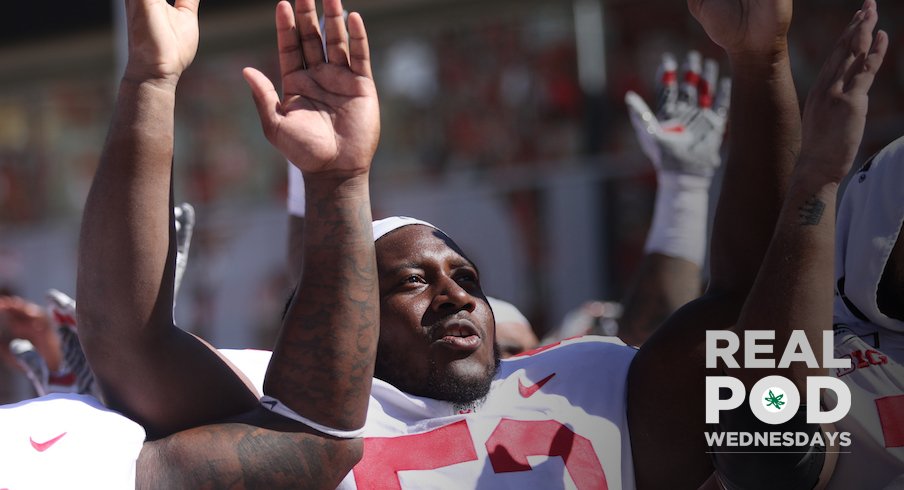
column 764, row 144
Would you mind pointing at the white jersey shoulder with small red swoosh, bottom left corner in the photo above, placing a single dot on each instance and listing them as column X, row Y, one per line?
column 67, row 441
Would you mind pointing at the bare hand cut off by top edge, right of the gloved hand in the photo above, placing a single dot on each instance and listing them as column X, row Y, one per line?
column 744, row 25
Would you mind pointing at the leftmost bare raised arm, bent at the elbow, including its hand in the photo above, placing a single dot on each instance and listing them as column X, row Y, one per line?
column 127, row 248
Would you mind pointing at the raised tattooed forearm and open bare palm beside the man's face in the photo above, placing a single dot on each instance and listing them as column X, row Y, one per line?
column 327, row 124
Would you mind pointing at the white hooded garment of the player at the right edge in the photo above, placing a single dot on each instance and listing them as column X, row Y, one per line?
column 869, row 223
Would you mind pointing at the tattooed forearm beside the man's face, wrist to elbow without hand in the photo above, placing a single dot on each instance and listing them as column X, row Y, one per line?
column 327, row 345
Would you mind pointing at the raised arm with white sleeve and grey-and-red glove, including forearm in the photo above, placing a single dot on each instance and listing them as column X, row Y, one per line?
column 682, row 137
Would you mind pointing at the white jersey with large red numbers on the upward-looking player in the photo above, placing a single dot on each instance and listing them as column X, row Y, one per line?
column 554, row 419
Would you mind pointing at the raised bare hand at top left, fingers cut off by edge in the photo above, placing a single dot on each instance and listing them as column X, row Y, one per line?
column 163, row 39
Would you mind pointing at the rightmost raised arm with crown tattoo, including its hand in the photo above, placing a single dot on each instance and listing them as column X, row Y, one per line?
column 794, row 289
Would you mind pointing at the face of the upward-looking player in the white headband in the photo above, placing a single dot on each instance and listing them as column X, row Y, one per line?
column 436, row 327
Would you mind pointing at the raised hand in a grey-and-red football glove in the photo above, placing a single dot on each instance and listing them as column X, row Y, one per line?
column 685, row 133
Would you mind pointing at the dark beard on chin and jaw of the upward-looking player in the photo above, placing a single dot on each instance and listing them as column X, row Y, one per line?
column 439, row 384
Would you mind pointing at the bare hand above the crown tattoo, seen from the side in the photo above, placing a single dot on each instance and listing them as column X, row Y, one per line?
column 835, row 113
